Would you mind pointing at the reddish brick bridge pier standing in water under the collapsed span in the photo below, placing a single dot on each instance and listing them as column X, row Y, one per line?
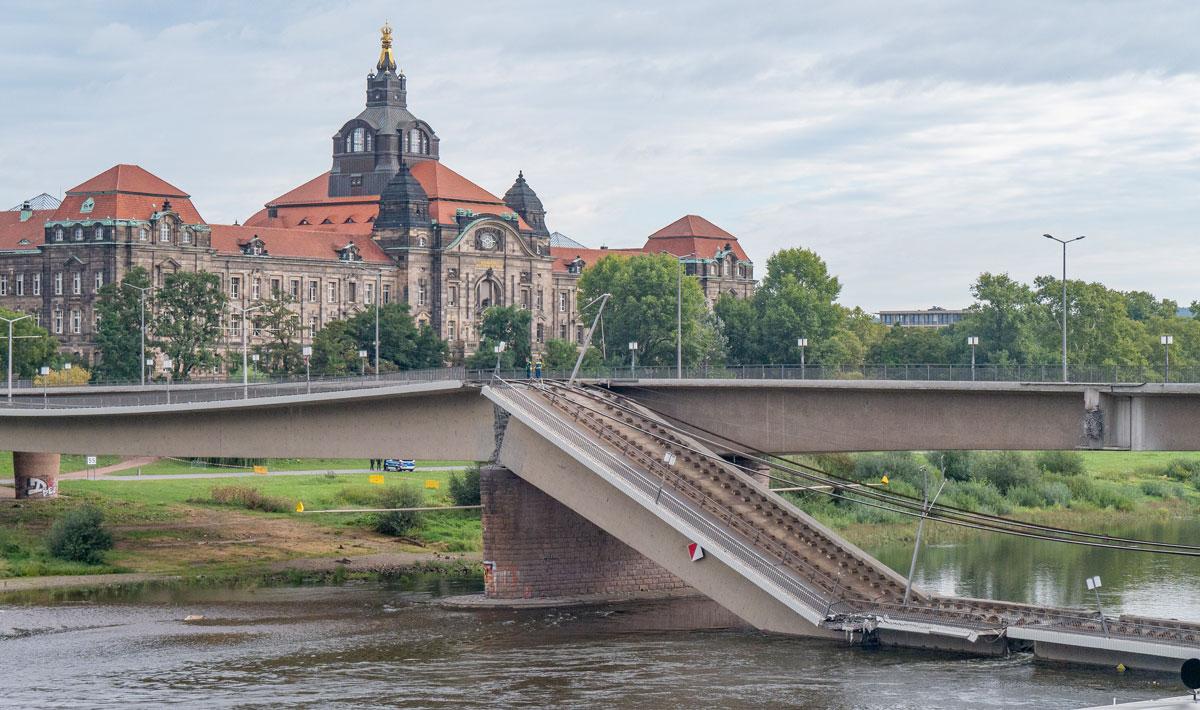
column 537, row 547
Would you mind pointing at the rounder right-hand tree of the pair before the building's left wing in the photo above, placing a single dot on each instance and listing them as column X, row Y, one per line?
column 188, row 326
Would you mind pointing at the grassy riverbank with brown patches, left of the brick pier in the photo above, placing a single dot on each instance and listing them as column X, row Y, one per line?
column 172, row 526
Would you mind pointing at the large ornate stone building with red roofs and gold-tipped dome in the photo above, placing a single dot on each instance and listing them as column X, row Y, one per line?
column 389, row 221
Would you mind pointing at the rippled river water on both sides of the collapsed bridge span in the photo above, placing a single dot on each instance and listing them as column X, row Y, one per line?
column 380, row 646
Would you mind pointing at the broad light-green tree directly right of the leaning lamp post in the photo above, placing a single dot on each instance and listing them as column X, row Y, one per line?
column 644, row 309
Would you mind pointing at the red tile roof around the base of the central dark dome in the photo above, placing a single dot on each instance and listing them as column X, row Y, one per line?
column 448, row 192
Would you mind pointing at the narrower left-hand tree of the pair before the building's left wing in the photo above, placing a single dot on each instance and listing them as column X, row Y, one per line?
column 119, row 338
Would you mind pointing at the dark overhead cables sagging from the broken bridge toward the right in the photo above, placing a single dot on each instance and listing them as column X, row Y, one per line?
column 910, row 507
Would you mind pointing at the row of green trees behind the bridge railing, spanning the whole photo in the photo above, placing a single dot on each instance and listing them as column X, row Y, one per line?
column 1017, row 323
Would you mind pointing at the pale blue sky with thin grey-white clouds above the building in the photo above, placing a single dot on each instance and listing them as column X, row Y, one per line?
column 911, row 146
